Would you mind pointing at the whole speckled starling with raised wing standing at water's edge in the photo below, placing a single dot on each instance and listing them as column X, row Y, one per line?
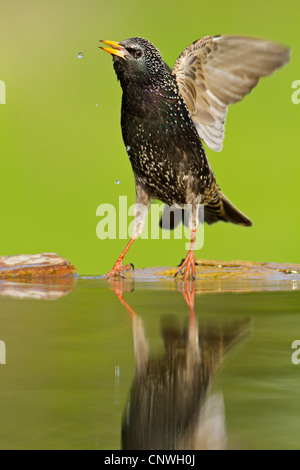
column 166, row 114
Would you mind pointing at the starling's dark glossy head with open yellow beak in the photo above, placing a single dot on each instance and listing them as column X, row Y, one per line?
column 136, row 60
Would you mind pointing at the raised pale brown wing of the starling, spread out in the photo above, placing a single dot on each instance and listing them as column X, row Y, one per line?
column 216, row 71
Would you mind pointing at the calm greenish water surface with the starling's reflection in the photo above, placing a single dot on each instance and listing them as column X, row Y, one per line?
column 104, row 361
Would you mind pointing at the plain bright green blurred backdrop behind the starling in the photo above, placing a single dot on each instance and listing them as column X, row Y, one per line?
column 61, row 154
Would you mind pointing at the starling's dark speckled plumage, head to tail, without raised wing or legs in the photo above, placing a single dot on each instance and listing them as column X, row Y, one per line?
column 166, row 152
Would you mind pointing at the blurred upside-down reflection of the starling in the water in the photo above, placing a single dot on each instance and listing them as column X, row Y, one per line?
column 170, row 405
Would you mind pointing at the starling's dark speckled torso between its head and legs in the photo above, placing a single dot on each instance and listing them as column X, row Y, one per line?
column 166, row 153
